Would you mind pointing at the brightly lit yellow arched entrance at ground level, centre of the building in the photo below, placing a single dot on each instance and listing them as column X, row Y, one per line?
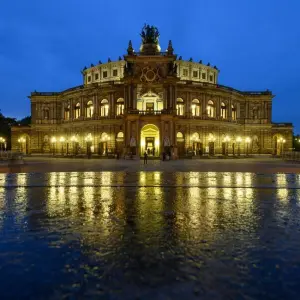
column 150, row 140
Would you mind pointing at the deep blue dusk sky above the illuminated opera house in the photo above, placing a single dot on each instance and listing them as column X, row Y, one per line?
column 255, row 43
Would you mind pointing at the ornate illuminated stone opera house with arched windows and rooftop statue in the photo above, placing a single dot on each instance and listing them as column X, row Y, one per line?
column 152, row 101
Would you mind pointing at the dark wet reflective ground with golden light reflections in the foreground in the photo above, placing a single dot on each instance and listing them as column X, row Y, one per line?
column 149, row 235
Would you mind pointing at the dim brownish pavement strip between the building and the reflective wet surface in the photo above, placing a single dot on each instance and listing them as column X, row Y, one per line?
column 254, row 165
